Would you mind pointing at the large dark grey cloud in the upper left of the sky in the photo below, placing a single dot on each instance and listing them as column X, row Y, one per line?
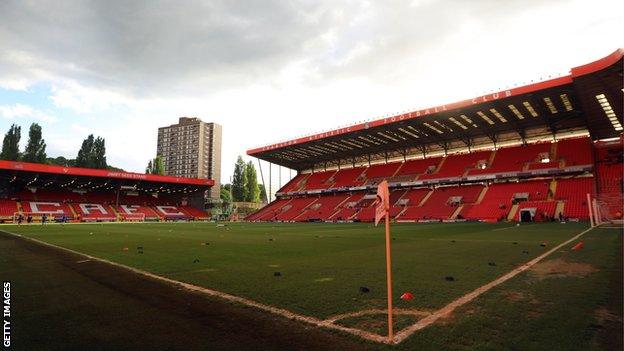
column 145, row 48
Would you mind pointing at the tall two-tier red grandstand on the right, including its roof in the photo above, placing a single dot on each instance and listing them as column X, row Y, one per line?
column 529, row 153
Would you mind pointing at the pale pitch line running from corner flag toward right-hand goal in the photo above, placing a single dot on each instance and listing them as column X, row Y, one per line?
column 448, row 309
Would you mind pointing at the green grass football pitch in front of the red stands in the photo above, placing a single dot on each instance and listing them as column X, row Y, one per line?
column 322, row 266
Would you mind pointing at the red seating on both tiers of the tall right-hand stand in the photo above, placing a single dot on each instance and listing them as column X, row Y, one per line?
column 409, row 204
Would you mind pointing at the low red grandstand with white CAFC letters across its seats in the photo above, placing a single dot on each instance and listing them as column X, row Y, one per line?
column 90, row 195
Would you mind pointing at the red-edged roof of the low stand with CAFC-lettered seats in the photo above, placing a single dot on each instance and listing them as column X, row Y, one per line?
column 38, row 175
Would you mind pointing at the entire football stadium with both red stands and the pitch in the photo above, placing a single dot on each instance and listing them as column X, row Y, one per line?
column 505, row 230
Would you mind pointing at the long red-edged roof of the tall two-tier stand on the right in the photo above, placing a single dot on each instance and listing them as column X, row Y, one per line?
column 588, row 99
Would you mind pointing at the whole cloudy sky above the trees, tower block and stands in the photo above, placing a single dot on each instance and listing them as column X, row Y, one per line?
column 272, row 70
